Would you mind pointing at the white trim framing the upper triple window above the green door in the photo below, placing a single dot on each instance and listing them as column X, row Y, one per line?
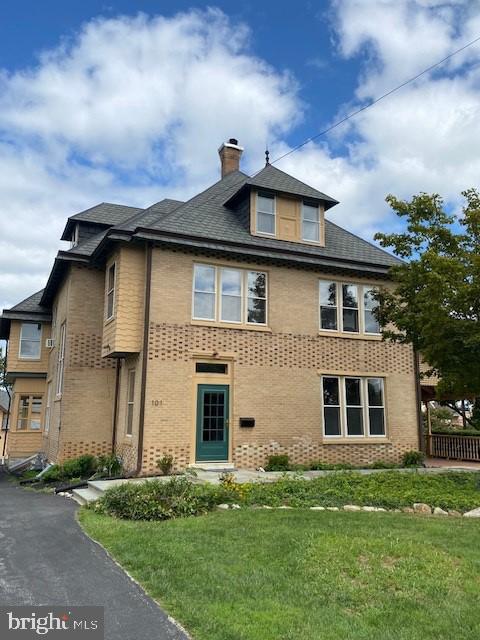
column 218, row 296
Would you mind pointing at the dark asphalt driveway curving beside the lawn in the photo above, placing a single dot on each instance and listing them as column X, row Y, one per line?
column 46, row 559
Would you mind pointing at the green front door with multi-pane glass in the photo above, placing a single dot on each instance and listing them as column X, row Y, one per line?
column 212, row 422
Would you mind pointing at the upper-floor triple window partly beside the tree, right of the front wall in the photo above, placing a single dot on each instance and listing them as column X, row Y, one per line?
column 348, row 307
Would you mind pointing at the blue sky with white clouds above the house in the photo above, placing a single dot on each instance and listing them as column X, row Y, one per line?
column 98, row 103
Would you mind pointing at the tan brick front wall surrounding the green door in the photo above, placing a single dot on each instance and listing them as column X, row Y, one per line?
column 276, row 375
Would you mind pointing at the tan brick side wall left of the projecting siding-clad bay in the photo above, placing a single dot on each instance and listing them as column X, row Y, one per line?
column 81, row 419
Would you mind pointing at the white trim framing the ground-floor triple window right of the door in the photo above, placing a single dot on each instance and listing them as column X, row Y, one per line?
column 344, row 435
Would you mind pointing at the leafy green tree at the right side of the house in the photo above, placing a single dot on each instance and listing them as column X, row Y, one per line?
column 435, row 302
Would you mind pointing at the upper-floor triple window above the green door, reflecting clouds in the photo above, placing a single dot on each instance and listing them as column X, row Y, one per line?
column 229, row 295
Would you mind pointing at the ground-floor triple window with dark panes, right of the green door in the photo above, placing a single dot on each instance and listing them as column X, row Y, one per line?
column 353, row 407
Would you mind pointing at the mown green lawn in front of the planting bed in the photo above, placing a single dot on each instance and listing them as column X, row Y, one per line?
column 302, row 575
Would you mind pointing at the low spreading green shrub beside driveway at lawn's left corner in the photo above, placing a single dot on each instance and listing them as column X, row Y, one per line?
column 157, row 500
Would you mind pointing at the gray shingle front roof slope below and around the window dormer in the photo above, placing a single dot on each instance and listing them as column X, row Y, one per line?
column 205, row 216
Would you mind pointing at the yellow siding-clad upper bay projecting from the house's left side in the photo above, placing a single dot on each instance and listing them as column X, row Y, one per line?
column 123, row 333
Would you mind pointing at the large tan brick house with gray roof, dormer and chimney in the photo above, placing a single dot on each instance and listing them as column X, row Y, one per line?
column 223, row 329
